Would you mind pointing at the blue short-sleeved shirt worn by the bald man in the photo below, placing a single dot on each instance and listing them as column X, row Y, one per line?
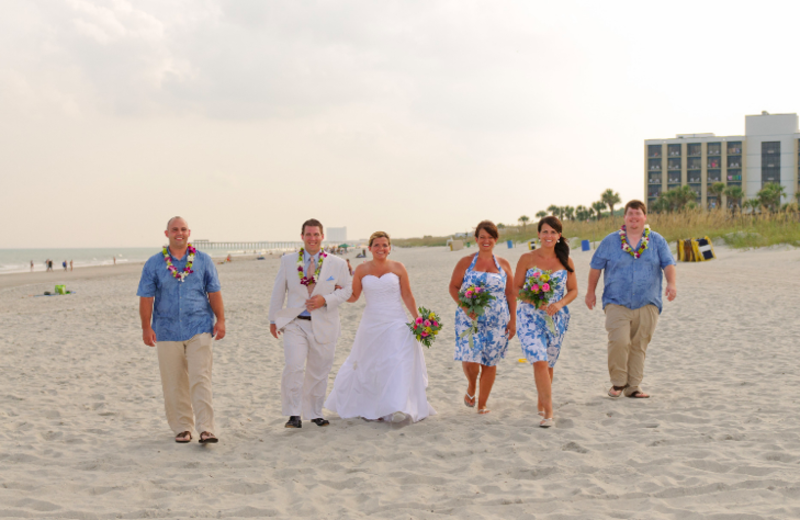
column 181, row 309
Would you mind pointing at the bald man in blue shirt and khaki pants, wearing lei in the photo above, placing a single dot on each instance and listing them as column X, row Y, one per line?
column 182, row 285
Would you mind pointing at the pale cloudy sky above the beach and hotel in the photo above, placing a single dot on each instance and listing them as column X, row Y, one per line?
column 247, row 117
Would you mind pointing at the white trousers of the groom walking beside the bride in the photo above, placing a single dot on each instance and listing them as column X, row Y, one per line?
column 305, row 374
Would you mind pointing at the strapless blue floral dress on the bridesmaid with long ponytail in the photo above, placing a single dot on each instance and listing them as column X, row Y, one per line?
column 538, row 343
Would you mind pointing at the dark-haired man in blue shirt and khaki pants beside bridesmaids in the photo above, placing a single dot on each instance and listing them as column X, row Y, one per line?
column 632, row 260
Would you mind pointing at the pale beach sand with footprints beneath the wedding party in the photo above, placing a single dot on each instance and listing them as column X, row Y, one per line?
column 84, row 436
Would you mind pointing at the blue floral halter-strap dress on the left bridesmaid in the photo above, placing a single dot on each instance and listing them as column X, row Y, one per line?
column 491, row 340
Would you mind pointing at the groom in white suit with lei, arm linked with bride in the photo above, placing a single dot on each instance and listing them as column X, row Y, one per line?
column 316, row 284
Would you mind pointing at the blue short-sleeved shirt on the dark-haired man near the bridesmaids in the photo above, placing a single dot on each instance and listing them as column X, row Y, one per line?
column 632, row 282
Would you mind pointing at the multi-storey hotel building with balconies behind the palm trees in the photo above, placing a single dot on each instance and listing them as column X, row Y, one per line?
column 767, row 152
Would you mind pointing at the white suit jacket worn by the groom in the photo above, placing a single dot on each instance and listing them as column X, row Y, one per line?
column 325, row 320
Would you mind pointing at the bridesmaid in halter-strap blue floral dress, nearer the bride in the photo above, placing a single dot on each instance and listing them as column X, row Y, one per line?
column 496, row 327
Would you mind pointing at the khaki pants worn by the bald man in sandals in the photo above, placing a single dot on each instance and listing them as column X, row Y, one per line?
column 186, row 380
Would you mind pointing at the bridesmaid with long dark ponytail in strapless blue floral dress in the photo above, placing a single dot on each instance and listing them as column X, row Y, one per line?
column 539, row 345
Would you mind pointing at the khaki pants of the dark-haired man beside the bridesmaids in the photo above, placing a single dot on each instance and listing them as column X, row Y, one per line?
column 629, row 333
